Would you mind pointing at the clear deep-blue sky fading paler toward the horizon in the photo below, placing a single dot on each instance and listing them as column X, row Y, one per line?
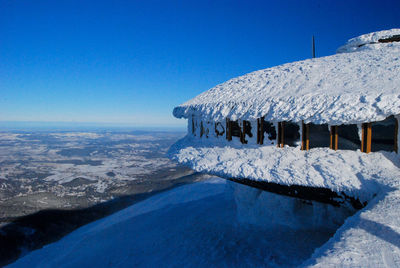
column 133, row 61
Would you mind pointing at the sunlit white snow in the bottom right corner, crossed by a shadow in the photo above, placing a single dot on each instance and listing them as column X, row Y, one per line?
column 370, row 238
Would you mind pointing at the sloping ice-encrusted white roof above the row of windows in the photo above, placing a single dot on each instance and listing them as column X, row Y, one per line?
column 343, row 88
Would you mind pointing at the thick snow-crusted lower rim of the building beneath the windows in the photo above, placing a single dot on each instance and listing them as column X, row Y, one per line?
column 354, row 173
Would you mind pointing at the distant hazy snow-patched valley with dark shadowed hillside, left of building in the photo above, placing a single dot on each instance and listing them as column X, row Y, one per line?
column 55, row 180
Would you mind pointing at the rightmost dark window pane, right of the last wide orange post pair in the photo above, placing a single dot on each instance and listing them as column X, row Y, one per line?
column 383, row 135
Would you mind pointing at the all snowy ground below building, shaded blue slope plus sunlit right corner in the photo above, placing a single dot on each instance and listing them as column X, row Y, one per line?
column 196, row 225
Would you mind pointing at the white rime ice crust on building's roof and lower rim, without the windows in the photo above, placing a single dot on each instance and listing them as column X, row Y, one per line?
column 346, row 88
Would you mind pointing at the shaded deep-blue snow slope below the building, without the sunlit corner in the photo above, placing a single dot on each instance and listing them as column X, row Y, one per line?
column 193, row 225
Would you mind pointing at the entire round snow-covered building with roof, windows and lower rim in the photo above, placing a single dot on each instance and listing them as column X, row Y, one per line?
column 302, row 128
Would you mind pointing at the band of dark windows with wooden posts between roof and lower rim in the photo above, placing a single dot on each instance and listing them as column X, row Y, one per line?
column 284, row 129
